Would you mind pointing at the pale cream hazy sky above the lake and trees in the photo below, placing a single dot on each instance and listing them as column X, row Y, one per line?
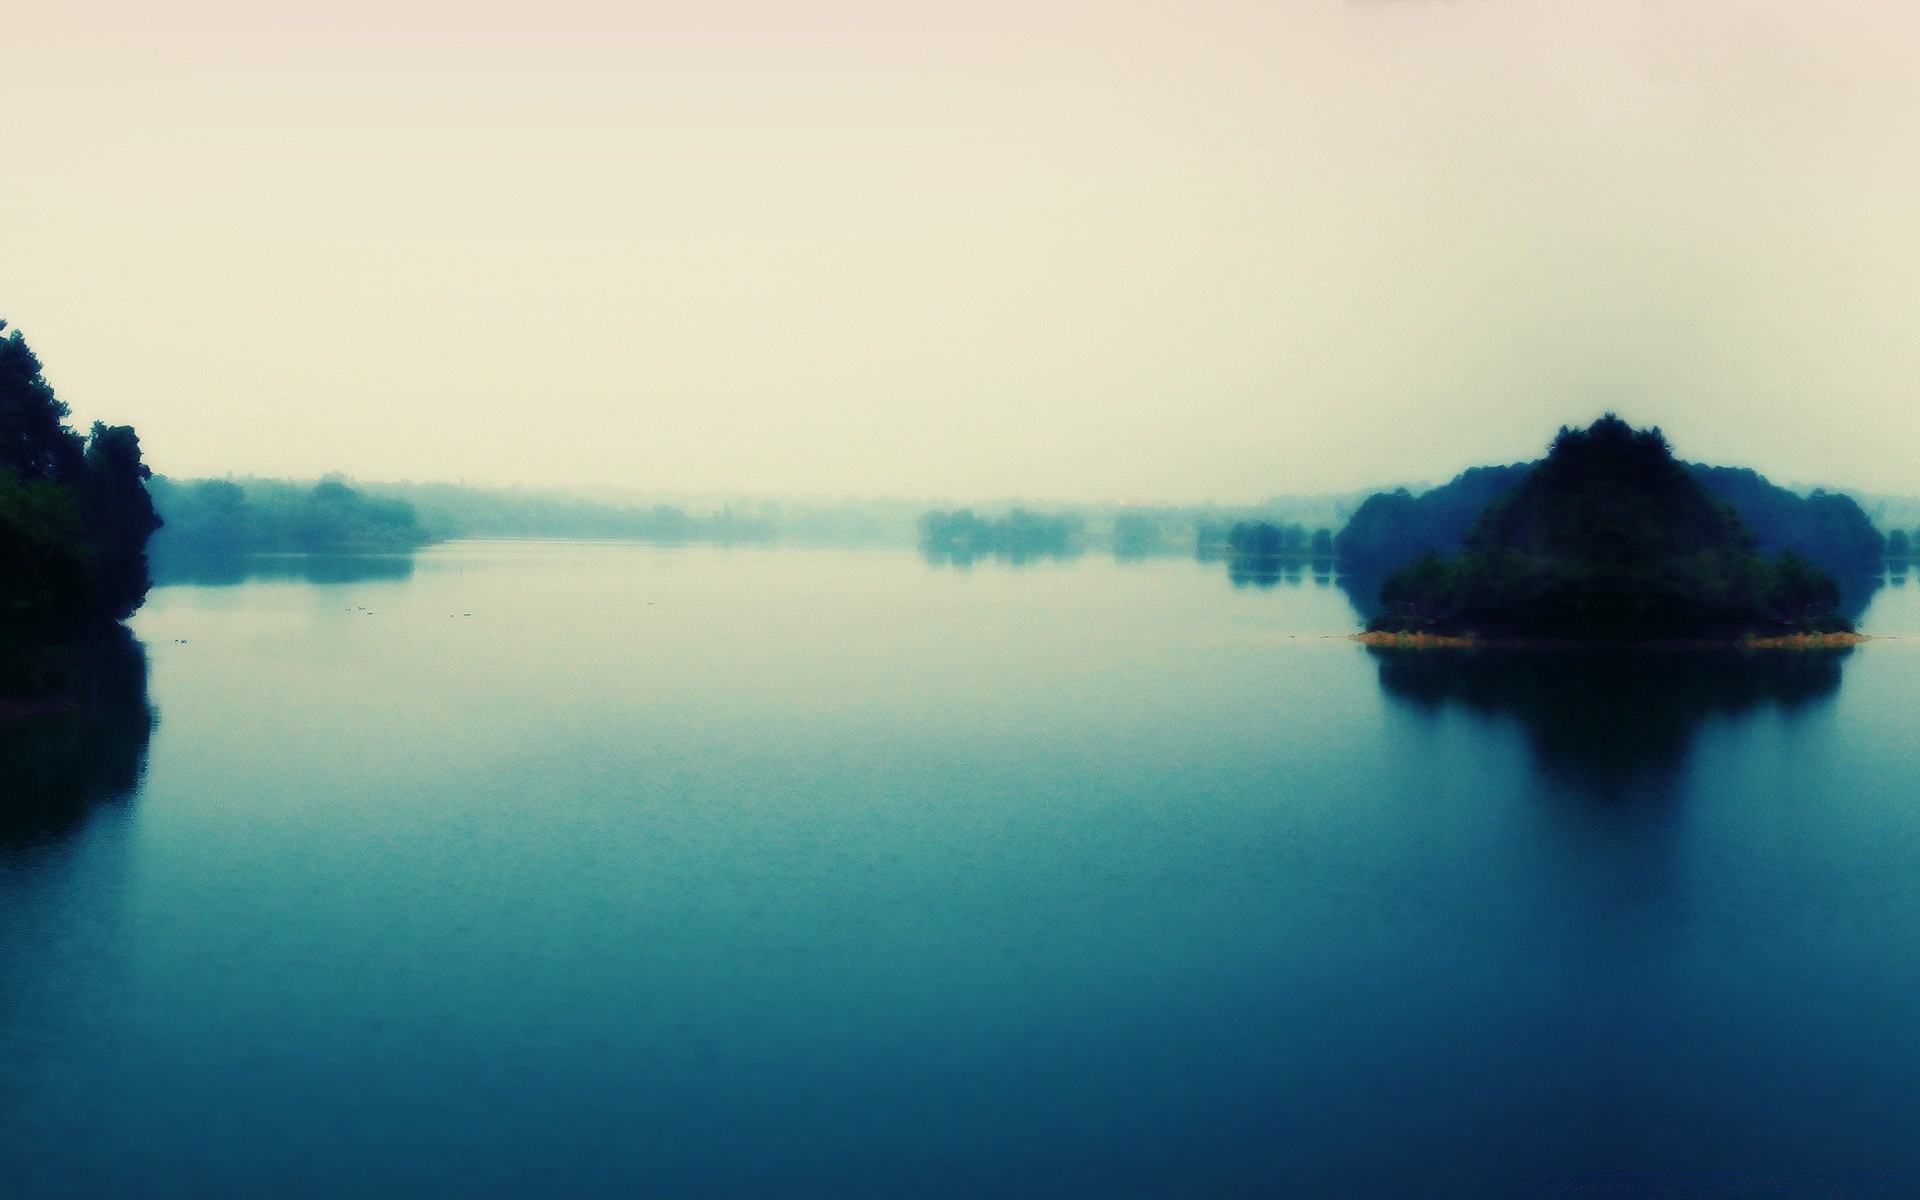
column 1109, row 249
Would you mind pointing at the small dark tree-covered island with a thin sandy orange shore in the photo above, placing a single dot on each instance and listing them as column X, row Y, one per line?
column 1610, row 540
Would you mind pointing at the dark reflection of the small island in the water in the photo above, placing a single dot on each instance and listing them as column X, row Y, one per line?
column 1610, row 721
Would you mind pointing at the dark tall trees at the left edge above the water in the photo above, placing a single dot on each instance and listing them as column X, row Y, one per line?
column 76, row 514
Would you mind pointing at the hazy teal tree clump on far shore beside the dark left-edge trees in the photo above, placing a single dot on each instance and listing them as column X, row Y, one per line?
column 224, row 517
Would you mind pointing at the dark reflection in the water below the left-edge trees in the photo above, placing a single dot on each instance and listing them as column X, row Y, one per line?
column 59, row 769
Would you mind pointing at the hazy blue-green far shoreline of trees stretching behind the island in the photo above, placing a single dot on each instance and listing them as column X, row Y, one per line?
column 1362, row 537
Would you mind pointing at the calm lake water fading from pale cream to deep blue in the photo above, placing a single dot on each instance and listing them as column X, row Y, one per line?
column 542, row 869
